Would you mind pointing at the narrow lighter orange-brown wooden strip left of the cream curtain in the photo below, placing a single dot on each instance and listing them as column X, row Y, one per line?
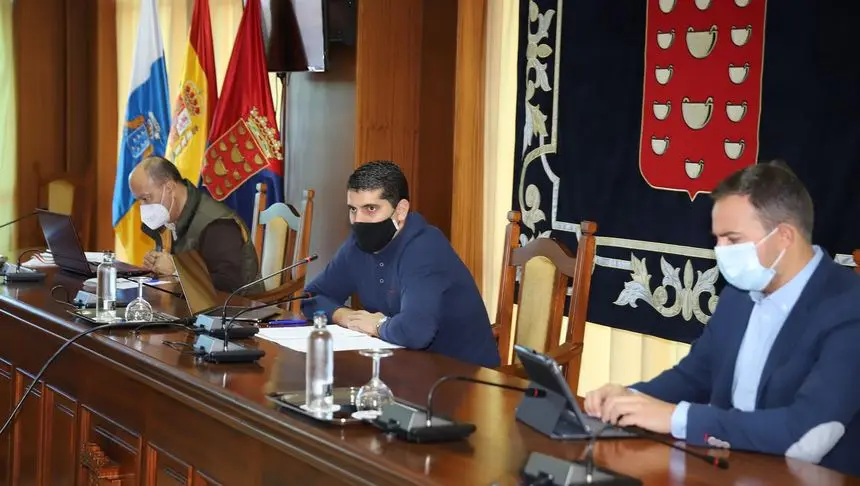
column 468, row 174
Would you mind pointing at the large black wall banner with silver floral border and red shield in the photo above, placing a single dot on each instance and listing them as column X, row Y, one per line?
column 630, row 112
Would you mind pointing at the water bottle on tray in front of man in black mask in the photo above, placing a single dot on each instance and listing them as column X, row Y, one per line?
column 319, row 368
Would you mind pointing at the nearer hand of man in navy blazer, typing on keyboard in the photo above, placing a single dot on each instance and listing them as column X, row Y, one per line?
column 640, row 410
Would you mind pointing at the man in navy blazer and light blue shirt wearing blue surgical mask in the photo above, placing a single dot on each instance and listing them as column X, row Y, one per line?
column 776, row 368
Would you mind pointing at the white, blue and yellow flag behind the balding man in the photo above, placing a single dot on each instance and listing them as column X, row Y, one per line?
column 146, row 124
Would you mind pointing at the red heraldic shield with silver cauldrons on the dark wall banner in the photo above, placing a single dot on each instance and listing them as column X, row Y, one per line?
column 702, row 92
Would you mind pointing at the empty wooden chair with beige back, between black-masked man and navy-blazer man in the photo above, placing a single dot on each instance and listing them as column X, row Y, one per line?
column 547, row 268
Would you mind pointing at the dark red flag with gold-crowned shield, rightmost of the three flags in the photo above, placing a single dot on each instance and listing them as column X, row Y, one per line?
column 244, row 138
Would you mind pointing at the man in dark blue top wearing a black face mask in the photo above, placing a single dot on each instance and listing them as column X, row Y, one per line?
column 415, row 290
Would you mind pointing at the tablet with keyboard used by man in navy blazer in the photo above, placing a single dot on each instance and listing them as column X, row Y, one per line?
column 573, row 423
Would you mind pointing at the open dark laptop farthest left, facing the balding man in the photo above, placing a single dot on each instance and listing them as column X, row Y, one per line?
column 67, row 251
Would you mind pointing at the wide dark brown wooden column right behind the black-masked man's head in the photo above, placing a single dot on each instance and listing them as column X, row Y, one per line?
column 406, row 57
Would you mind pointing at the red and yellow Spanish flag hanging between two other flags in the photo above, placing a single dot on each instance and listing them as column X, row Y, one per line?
column 198, row 95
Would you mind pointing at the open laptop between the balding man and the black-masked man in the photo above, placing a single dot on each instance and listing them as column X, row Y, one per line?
column 200, row 293
